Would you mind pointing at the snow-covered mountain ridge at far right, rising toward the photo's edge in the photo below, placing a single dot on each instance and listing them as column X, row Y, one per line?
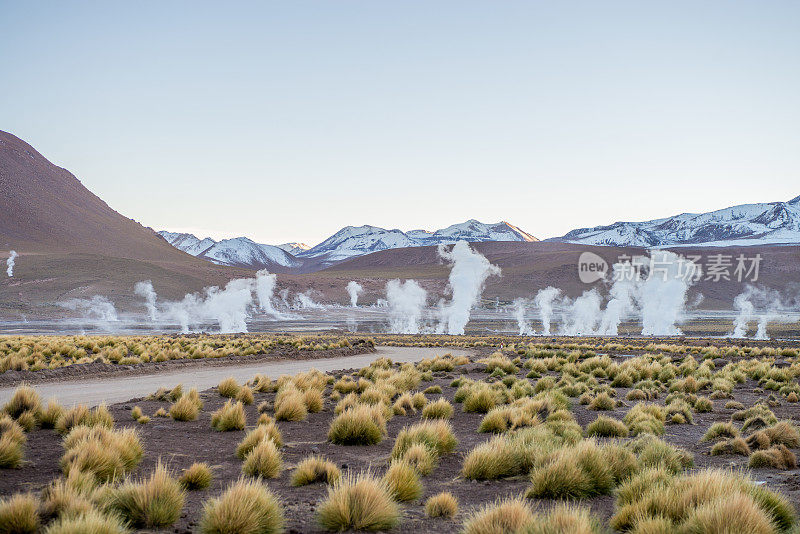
column 769, row 223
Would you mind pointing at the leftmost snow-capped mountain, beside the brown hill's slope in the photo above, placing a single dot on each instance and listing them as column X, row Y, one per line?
column 238, row 252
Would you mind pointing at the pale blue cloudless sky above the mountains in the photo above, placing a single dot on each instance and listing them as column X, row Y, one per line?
column 285, row 121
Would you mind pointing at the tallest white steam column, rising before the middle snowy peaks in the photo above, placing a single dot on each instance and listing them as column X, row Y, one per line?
column 467, row 276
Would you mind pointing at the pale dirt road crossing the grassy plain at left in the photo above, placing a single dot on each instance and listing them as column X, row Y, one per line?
column 120, row 389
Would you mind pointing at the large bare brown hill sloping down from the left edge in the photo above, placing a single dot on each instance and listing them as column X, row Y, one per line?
column 71, row 243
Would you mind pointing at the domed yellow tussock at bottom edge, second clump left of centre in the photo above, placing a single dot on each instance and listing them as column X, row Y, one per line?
column 246, row 506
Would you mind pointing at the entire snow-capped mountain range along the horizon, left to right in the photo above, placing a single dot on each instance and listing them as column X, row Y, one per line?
column 771, row 223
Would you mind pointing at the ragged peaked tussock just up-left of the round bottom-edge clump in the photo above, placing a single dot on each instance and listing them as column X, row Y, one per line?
column 156, row 501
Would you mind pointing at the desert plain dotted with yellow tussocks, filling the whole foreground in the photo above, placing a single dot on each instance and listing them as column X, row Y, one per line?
column 480, row 434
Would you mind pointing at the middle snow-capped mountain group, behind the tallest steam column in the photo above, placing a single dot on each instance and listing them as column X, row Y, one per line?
column 352, row 241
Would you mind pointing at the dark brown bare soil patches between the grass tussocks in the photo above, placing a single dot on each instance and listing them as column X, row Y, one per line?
column 182, row 443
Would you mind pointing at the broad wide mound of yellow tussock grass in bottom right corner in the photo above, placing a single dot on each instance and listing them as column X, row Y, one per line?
column 693, row 503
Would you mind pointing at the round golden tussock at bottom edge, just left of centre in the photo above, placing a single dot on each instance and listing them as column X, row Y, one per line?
column 359, row 502
